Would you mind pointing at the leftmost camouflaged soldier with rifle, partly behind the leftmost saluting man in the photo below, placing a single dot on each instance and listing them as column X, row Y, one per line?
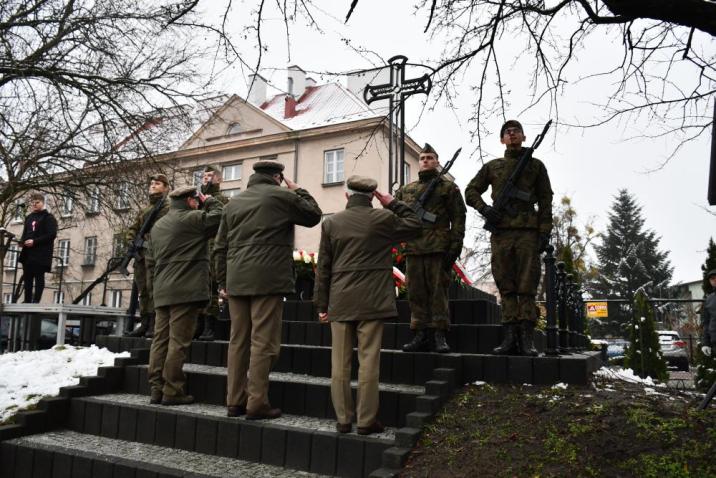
column 158, row 187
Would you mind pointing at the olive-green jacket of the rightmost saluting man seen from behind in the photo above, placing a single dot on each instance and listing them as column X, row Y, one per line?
column 354, row 278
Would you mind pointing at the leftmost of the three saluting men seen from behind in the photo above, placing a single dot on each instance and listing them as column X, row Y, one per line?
column 178, row 264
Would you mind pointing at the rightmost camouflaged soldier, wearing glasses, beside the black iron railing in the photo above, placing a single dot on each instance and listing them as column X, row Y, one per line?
column 522, row 234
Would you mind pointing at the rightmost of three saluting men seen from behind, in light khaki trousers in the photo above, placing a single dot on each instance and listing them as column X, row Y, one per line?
column 355, row 292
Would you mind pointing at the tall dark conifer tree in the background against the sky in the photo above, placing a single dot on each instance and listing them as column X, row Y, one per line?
column 629, row 257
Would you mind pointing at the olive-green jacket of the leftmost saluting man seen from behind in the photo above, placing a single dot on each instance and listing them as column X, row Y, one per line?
column 177, row 255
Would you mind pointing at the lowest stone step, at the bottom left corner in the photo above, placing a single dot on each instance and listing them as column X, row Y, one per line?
column 65, row 453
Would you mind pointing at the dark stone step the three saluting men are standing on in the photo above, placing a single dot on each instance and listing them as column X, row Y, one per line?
column 291, row 441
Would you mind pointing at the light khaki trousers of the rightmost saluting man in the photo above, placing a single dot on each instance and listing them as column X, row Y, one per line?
column 370, row 335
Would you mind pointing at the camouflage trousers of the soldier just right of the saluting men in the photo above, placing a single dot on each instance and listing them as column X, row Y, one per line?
column 428, row 280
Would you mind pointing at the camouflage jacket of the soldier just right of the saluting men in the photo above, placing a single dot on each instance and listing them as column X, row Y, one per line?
column 446, row 202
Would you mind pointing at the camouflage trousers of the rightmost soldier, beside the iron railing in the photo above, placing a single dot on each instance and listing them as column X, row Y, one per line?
column 516, row 269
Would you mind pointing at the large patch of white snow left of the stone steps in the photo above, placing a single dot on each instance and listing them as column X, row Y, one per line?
column 26, row 377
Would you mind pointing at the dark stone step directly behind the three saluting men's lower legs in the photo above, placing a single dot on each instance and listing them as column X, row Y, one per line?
column 295, row 394
